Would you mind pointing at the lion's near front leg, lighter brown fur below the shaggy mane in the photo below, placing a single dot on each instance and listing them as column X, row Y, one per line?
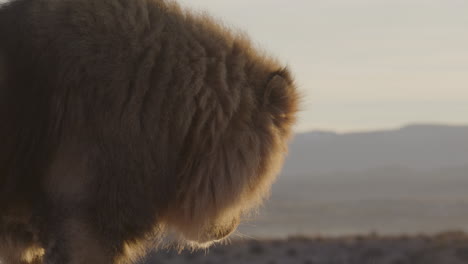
column 70, row 237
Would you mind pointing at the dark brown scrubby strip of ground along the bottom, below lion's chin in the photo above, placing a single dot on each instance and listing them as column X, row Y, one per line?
column 446, row 248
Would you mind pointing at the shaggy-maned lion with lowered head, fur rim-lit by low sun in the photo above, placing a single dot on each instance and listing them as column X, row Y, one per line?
column 123, row 121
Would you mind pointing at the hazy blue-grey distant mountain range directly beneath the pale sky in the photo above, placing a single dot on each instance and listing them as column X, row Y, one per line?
column 421, row 147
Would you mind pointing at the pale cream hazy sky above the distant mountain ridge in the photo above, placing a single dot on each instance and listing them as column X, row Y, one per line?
column 364, row 64
